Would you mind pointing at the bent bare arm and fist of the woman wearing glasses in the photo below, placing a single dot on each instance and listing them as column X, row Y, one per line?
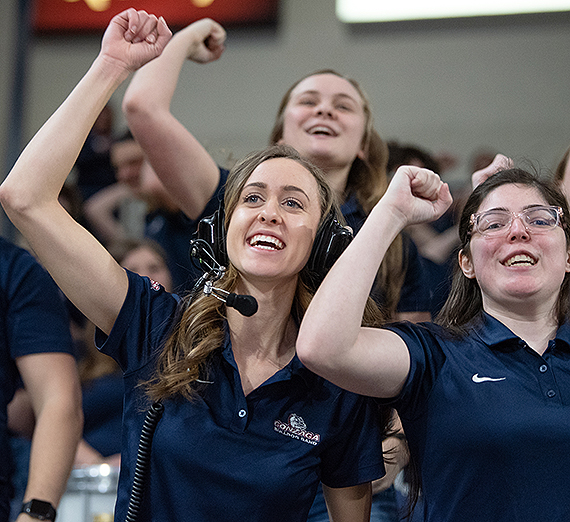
column 331, row 342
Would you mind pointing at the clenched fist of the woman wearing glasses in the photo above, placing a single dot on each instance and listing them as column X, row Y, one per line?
column 417, row 195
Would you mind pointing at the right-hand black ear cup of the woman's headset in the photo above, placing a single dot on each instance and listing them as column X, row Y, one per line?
column 330, row 242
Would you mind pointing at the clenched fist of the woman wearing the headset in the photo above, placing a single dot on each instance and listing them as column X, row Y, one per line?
column 133, row 38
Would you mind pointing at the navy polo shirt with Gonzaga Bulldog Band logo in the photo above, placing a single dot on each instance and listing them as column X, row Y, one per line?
column 225, row 456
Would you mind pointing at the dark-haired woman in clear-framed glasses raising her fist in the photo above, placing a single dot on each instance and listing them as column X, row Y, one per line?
column 483, row 394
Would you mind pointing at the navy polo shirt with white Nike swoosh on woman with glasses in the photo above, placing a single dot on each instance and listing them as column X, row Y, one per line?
column 488, row 421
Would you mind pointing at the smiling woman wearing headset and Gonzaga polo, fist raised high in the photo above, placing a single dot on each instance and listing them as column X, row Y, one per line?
column 247, row 432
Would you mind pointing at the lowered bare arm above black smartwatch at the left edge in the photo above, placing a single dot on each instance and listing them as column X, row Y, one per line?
column 53, row 386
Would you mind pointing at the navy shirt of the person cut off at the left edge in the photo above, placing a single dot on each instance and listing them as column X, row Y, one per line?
column 33, row 320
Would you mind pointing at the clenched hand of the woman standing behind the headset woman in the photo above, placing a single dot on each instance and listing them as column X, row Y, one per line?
column 207, row 40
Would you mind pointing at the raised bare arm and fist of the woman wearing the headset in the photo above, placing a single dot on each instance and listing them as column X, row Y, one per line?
column 79, row 264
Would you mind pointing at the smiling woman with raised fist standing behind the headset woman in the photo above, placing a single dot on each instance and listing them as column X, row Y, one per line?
column 328, row 119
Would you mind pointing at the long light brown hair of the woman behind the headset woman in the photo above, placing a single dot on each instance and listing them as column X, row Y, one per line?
column 368, row 181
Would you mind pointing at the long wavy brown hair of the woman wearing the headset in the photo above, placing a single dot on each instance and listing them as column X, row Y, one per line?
column 200, row 330
